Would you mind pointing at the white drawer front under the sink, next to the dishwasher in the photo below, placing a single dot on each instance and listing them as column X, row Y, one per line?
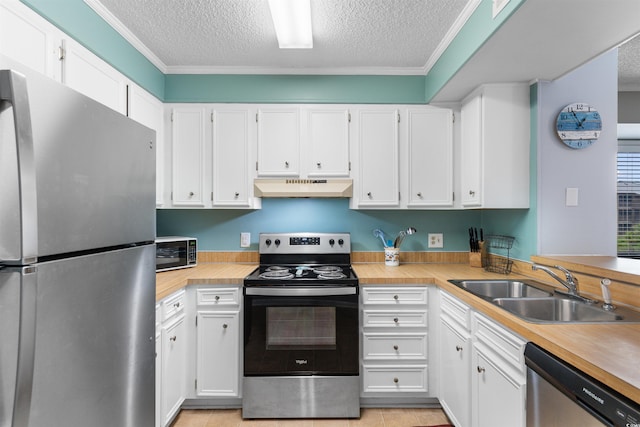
column 500, row 341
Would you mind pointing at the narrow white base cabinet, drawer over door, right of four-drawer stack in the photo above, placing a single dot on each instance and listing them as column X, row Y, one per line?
column 455, row 360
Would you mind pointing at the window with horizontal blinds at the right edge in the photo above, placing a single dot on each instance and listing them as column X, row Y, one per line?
column 628, row 183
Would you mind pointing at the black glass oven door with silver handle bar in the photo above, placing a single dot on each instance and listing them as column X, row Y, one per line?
column 301, row 331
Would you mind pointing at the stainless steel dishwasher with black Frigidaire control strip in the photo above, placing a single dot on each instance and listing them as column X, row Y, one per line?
column 558, row 394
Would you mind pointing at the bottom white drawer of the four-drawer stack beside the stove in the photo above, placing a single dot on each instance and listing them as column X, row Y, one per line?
column 410, row 378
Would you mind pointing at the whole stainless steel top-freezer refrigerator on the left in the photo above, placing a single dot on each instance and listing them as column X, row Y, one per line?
column 77, row 259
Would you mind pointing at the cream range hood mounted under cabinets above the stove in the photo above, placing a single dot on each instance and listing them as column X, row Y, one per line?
column 303, row 187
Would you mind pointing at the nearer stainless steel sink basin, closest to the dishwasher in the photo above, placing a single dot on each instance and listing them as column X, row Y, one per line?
column 563, row 310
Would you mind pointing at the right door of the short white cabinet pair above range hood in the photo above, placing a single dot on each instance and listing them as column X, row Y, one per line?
column 328, row 142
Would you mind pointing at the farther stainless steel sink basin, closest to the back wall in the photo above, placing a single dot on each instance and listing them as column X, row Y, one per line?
column 491, row 289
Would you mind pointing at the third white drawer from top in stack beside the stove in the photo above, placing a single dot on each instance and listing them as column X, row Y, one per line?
column 377, row 346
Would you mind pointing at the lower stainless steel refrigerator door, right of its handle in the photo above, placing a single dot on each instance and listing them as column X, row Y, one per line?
column 95, row 341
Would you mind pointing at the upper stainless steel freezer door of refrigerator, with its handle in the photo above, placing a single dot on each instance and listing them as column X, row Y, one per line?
column 90, row 169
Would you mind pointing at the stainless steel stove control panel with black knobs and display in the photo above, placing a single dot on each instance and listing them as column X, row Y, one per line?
column 300, row 243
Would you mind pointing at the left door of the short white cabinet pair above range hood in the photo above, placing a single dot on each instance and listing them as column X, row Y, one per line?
column 279, row 142
